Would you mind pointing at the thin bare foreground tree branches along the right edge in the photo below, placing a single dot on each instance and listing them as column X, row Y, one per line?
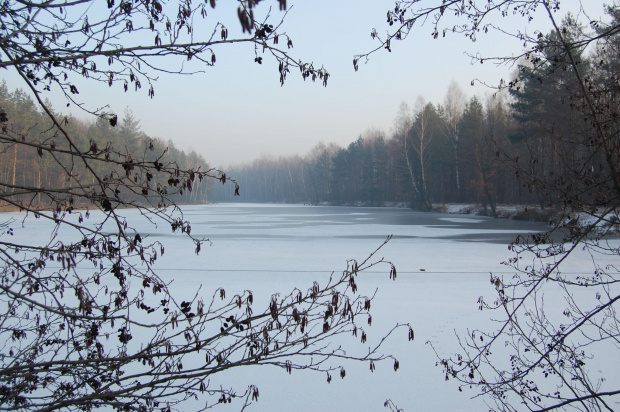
column 543, row 357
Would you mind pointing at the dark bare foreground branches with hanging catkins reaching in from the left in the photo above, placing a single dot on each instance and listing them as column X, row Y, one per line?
column 85, row 319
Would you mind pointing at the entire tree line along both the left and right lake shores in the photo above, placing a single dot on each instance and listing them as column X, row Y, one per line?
column 460, row 150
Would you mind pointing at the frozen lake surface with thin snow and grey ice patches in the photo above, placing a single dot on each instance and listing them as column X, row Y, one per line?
column 443, row 264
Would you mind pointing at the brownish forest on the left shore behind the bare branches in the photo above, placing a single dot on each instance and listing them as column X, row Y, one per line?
column 25, row 166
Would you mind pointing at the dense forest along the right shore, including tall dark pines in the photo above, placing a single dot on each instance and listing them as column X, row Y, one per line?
column 459, row 150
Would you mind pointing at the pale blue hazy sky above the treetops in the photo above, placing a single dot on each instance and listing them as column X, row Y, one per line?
column 237, row 111
